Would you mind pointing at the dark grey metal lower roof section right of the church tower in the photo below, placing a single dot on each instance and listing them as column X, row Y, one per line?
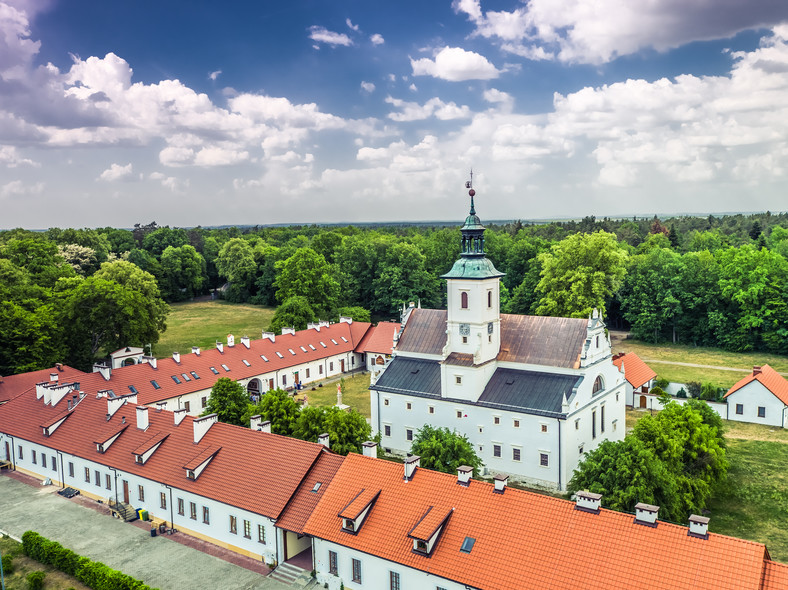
column 528, row 391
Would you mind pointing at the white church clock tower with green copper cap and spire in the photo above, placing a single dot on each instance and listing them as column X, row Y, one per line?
column 474, row 316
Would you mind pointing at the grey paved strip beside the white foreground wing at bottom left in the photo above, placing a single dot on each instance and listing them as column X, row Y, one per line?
column 158, row 561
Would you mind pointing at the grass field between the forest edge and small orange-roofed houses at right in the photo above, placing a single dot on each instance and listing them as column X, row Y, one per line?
column 679, row 353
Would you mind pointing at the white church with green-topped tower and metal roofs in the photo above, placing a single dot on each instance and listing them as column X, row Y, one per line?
column 532, row 394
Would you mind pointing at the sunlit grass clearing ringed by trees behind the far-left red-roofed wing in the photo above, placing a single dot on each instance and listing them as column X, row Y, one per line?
column 202, row 323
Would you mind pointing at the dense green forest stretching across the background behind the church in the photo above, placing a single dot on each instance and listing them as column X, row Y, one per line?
column 73, row 295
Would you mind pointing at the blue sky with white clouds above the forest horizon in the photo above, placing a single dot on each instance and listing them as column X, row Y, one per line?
column 308, row 111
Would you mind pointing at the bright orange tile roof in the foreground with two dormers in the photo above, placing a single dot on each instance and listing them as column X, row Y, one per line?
column 526, row 536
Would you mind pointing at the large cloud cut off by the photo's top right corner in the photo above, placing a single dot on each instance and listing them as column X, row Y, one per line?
column 575, row 32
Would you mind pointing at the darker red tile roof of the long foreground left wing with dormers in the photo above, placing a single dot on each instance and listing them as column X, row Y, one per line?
column 255, row 471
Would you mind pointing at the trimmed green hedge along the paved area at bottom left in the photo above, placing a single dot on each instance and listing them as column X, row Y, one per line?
column 93, row 574
